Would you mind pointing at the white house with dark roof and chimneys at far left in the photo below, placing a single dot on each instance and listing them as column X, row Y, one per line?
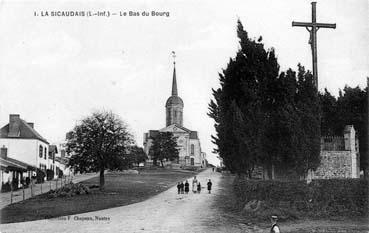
column 23, row 150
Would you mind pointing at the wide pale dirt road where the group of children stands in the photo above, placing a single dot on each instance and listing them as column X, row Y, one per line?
column 166, row 212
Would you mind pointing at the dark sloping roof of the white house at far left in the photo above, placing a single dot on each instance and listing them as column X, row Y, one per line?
column 25, row 132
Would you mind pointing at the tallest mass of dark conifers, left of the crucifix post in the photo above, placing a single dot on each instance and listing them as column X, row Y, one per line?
column 263, row 118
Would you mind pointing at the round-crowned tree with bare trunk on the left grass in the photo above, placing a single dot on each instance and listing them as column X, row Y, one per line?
column 97, row 143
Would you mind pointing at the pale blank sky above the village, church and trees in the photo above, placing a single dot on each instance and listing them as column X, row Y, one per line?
column 56, row 70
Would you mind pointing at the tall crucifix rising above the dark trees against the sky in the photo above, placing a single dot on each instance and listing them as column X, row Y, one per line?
column 312, row 28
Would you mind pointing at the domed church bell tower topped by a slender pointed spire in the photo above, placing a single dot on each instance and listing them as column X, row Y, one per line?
column 174, row 104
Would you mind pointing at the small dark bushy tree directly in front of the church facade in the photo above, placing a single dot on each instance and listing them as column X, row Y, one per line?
column 164, row 147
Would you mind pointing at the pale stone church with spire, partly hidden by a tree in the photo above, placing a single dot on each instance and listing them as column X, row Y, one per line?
column 188, row 142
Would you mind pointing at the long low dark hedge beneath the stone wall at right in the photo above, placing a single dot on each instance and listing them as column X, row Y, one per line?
column 334, row 197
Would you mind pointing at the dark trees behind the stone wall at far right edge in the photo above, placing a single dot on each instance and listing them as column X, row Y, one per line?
column 349, row 108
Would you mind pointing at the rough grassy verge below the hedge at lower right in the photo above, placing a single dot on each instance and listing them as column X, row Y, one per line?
column 226, row 205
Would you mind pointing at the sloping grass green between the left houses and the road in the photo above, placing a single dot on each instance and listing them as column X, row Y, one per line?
column 120, row 189
